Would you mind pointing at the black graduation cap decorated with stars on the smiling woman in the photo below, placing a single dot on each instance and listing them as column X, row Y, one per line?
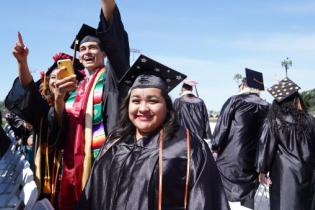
column 146, row 72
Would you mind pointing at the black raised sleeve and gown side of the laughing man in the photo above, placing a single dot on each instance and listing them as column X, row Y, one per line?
column 116, row 47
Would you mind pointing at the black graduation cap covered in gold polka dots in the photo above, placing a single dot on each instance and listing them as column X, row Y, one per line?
column 283, row 89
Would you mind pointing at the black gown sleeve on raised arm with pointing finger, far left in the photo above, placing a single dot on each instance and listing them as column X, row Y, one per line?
column 26, row 102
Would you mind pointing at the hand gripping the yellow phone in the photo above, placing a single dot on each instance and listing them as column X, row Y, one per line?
column 63, row 86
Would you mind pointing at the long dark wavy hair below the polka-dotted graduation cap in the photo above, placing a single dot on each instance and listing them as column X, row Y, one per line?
column 293, row 106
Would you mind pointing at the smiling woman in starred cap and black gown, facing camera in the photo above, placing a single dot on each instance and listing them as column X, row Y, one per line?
column 148, row 162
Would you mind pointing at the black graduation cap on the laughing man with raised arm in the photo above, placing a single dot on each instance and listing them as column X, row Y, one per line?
column 86, row 33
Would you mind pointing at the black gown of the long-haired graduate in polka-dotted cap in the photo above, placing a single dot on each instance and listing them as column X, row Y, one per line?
column 289, row 156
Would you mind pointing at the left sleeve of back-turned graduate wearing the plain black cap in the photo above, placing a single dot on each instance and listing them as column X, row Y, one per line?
column 222, row 128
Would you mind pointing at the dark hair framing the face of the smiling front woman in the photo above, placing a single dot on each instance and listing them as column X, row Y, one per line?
column 125, row 127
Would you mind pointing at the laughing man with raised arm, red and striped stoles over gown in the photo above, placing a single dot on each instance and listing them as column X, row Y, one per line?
column 88, row 115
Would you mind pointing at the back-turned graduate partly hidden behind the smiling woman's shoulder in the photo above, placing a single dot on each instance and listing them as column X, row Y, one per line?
column 192, row 112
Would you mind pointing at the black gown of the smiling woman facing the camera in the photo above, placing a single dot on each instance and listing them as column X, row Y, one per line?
column 126, row 176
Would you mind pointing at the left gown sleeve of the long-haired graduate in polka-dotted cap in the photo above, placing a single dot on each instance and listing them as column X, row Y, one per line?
column 267, row 146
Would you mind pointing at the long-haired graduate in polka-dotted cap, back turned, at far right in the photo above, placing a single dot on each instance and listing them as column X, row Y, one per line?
column 287, row 150
